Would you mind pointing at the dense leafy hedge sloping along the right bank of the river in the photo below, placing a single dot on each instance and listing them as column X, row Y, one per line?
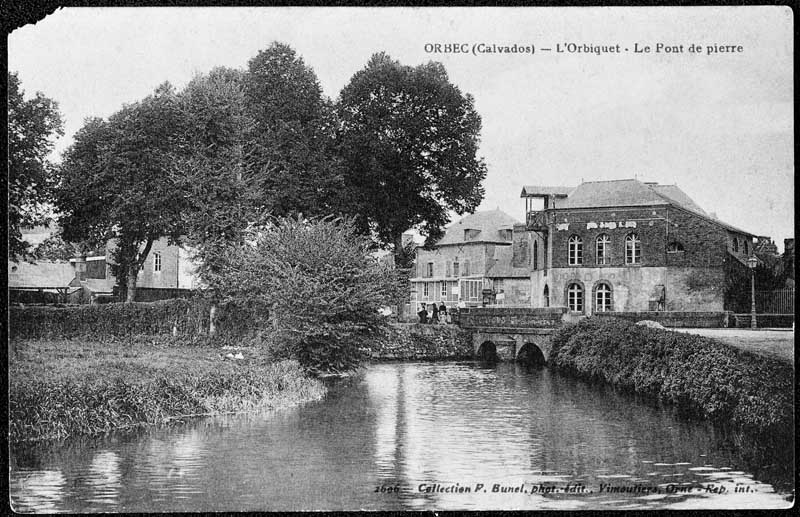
column 723, row 383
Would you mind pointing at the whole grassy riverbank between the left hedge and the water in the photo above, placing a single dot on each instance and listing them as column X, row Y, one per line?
column 60, row 388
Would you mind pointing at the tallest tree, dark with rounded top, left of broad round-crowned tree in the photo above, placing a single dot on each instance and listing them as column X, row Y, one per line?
column 292, row 145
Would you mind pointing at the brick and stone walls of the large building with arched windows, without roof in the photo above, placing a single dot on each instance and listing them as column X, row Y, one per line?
column 679, row 264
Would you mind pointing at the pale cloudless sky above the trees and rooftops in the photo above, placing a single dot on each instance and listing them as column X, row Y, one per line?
column 719, row 125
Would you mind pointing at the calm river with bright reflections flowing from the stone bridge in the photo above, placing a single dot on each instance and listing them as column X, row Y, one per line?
column 406, row 436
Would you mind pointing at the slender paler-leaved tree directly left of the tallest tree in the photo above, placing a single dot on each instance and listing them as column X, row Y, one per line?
column 222, row 193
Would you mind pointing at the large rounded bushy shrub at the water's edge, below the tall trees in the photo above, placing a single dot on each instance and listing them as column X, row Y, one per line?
column 321, row 283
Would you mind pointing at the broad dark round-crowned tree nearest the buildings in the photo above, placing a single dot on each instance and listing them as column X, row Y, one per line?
column 409, row 139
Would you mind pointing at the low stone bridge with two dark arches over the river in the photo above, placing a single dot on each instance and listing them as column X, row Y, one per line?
column 512, row 334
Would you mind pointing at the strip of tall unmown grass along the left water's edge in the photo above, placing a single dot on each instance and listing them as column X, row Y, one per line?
column 49, row 408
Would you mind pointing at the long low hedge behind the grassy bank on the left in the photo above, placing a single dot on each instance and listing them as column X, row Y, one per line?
column 184, row 317
